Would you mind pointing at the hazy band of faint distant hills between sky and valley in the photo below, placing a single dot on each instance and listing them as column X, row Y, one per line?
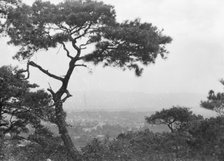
column 134, row 101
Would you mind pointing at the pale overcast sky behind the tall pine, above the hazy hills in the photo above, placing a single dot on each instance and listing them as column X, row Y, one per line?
column 195, row 63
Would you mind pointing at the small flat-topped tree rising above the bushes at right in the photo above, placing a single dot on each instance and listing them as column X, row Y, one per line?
column 176, row 118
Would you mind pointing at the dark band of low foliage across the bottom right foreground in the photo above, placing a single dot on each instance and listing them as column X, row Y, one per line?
column 202, row 141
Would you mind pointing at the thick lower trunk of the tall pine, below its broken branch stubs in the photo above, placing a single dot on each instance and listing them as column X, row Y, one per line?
column 61, row 123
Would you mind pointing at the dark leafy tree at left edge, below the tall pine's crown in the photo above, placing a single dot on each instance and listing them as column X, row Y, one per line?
column 19, row 104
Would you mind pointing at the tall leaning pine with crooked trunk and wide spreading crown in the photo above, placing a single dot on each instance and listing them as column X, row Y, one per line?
column 128, row 45
